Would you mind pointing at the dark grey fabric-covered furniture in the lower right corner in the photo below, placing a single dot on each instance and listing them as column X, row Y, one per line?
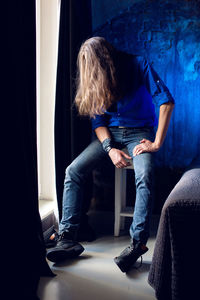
column 175, row 268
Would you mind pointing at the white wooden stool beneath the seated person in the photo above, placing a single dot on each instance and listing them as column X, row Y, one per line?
column 121, row 210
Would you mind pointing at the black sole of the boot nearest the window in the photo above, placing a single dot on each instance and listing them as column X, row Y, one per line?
column 57, row 255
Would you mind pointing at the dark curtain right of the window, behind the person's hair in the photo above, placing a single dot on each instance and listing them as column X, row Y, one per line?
column 72, row 133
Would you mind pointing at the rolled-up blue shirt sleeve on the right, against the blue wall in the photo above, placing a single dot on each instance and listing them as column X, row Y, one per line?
column 154, row 84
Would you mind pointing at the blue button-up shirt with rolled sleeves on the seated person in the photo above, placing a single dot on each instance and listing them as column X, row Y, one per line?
column 144, row 89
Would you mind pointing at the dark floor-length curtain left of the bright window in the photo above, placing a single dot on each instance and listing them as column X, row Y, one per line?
column 23, row 243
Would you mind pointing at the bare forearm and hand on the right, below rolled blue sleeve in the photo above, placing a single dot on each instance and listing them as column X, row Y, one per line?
column 163, row 124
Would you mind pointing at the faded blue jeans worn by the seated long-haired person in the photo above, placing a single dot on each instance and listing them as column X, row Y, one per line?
column 94, row 155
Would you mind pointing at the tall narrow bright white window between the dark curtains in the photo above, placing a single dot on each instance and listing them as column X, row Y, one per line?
column 47, row 24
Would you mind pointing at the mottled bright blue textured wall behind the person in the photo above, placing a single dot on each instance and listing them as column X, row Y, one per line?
column 167, row 33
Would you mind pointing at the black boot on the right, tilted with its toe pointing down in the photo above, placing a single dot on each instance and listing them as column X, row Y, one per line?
column 127, row 258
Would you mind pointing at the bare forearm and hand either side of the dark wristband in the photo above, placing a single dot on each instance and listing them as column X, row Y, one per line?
column 117, row 156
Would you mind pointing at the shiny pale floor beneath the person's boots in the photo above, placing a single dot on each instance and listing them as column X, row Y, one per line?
column 94, row 274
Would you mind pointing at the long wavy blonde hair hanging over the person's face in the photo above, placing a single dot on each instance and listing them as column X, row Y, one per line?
column 97, row 83
